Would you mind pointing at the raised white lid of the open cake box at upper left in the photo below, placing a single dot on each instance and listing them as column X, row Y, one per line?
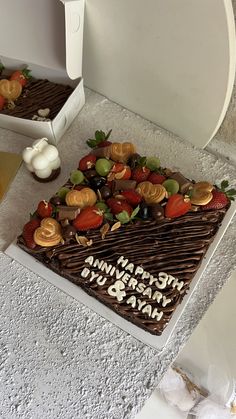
column 48, row 33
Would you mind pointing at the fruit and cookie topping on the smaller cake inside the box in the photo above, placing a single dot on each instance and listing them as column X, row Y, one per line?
column 11, row 87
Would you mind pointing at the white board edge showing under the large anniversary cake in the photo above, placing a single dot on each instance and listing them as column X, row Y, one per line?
column 76, row 292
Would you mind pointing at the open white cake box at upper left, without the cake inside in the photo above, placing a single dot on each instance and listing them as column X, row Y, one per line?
column 49, row 41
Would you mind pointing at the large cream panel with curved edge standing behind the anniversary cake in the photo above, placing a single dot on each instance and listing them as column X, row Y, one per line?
column 172, row 62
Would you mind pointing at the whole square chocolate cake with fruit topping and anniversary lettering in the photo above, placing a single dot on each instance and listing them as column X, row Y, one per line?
column 129, row 232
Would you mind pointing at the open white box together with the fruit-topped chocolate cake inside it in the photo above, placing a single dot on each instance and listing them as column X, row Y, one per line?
column 41, row 86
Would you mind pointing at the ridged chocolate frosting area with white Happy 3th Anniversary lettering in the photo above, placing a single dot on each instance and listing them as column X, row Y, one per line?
column 174, row 247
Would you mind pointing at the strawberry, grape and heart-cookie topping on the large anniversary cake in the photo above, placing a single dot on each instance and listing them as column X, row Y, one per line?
column 115, row 186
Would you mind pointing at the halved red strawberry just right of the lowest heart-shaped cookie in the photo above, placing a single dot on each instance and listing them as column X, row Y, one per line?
column 89, row 218
